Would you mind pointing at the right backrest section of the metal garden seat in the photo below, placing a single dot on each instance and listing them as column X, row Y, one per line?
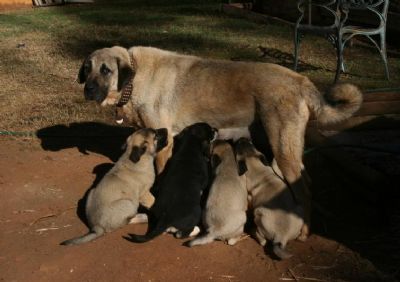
column 377, row 7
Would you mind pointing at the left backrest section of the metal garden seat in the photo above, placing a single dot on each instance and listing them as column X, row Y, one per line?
column 318, row 13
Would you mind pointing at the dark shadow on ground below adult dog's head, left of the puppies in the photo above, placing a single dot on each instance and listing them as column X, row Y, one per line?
column 87, row 137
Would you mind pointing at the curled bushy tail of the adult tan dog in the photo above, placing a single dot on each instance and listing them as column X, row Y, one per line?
column 339, row 103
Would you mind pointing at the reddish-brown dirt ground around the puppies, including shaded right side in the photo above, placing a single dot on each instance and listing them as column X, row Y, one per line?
column 41, row 183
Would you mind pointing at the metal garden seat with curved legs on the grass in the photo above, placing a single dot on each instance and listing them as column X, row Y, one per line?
column 336, row 27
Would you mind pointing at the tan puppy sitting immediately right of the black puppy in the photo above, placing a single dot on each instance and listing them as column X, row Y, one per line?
column 225, row 212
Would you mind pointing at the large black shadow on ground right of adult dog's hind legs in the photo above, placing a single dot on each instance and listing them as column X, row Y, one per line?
column 355, row 192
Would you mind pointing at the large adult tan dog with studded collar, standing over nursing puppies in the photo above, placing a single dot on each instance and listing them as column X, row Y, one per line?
column 173, row 91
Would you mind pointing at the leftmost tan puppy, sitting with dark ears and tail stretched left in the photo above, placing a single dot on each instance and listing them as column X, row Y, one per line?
column 115, row 200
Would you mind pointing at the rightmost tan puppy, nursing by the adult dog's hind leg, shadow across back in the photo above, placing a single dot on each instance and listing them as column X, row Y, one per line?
column 277, row 214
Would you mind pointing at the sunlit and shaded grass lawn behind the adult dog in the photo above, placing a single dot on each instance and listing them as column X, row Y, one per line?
column 37, row 80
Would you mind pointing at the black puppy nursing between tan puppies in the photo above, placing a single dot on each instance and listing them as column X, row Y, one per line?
column 177, row 206
